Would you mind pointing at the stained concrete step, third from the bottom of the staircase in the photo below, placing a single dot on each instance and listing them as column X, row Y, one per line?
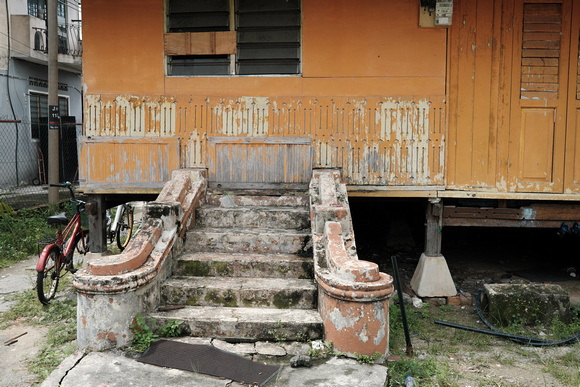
column 203, row 264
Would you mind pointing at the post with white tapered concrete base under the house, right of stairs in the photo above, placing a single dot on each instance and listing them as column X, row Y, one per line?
column 432, row 277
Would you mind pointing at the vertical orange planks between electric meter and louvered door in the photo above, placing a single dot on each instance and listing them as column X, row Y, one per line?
column 474, row 92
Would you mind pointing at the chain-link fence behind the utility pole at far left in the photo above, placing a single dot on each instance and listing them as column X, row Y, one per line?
column 24, row 161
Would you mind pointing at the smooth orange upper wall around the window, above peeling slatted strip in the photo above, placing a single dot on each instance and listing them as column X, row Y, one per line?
column 350, row 48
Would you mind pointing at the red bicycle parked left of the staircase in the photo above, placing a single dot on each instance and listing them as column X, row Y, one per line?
column 57, row 257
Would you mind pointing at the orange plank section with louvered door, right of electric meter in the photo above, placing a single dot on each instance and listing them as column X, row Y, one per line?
column 515, row 96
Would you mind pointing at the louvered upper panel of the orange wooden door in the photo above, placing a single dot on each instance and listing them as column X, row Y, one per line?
column 542, row 29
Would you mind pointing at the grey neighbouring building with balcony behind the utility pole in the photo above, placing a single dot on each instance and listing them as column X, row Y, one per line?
column 24, row 91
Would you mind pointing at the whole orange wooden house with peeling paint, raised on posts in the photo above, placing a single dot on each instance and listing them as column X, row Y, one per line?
column 406, row 100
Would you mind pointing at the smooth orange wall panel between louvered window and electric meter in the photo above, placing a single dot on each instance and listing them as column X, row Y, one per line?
column 371, row 38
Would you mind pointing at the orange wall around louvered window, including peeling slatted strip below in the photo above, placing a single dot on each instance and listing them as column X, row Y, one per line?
column 370, row 99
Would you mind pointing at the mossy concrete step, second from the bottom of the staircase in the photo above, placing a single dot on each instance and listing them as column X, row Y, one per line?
column 240, row 292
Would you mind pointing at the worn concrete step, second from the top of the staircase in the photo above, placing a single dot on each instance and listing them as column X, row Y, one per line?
column 291, row 218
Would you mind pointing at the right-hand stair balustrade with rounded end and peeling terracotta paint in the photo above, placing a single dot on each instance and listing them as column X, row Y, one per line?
column 353, row 296
